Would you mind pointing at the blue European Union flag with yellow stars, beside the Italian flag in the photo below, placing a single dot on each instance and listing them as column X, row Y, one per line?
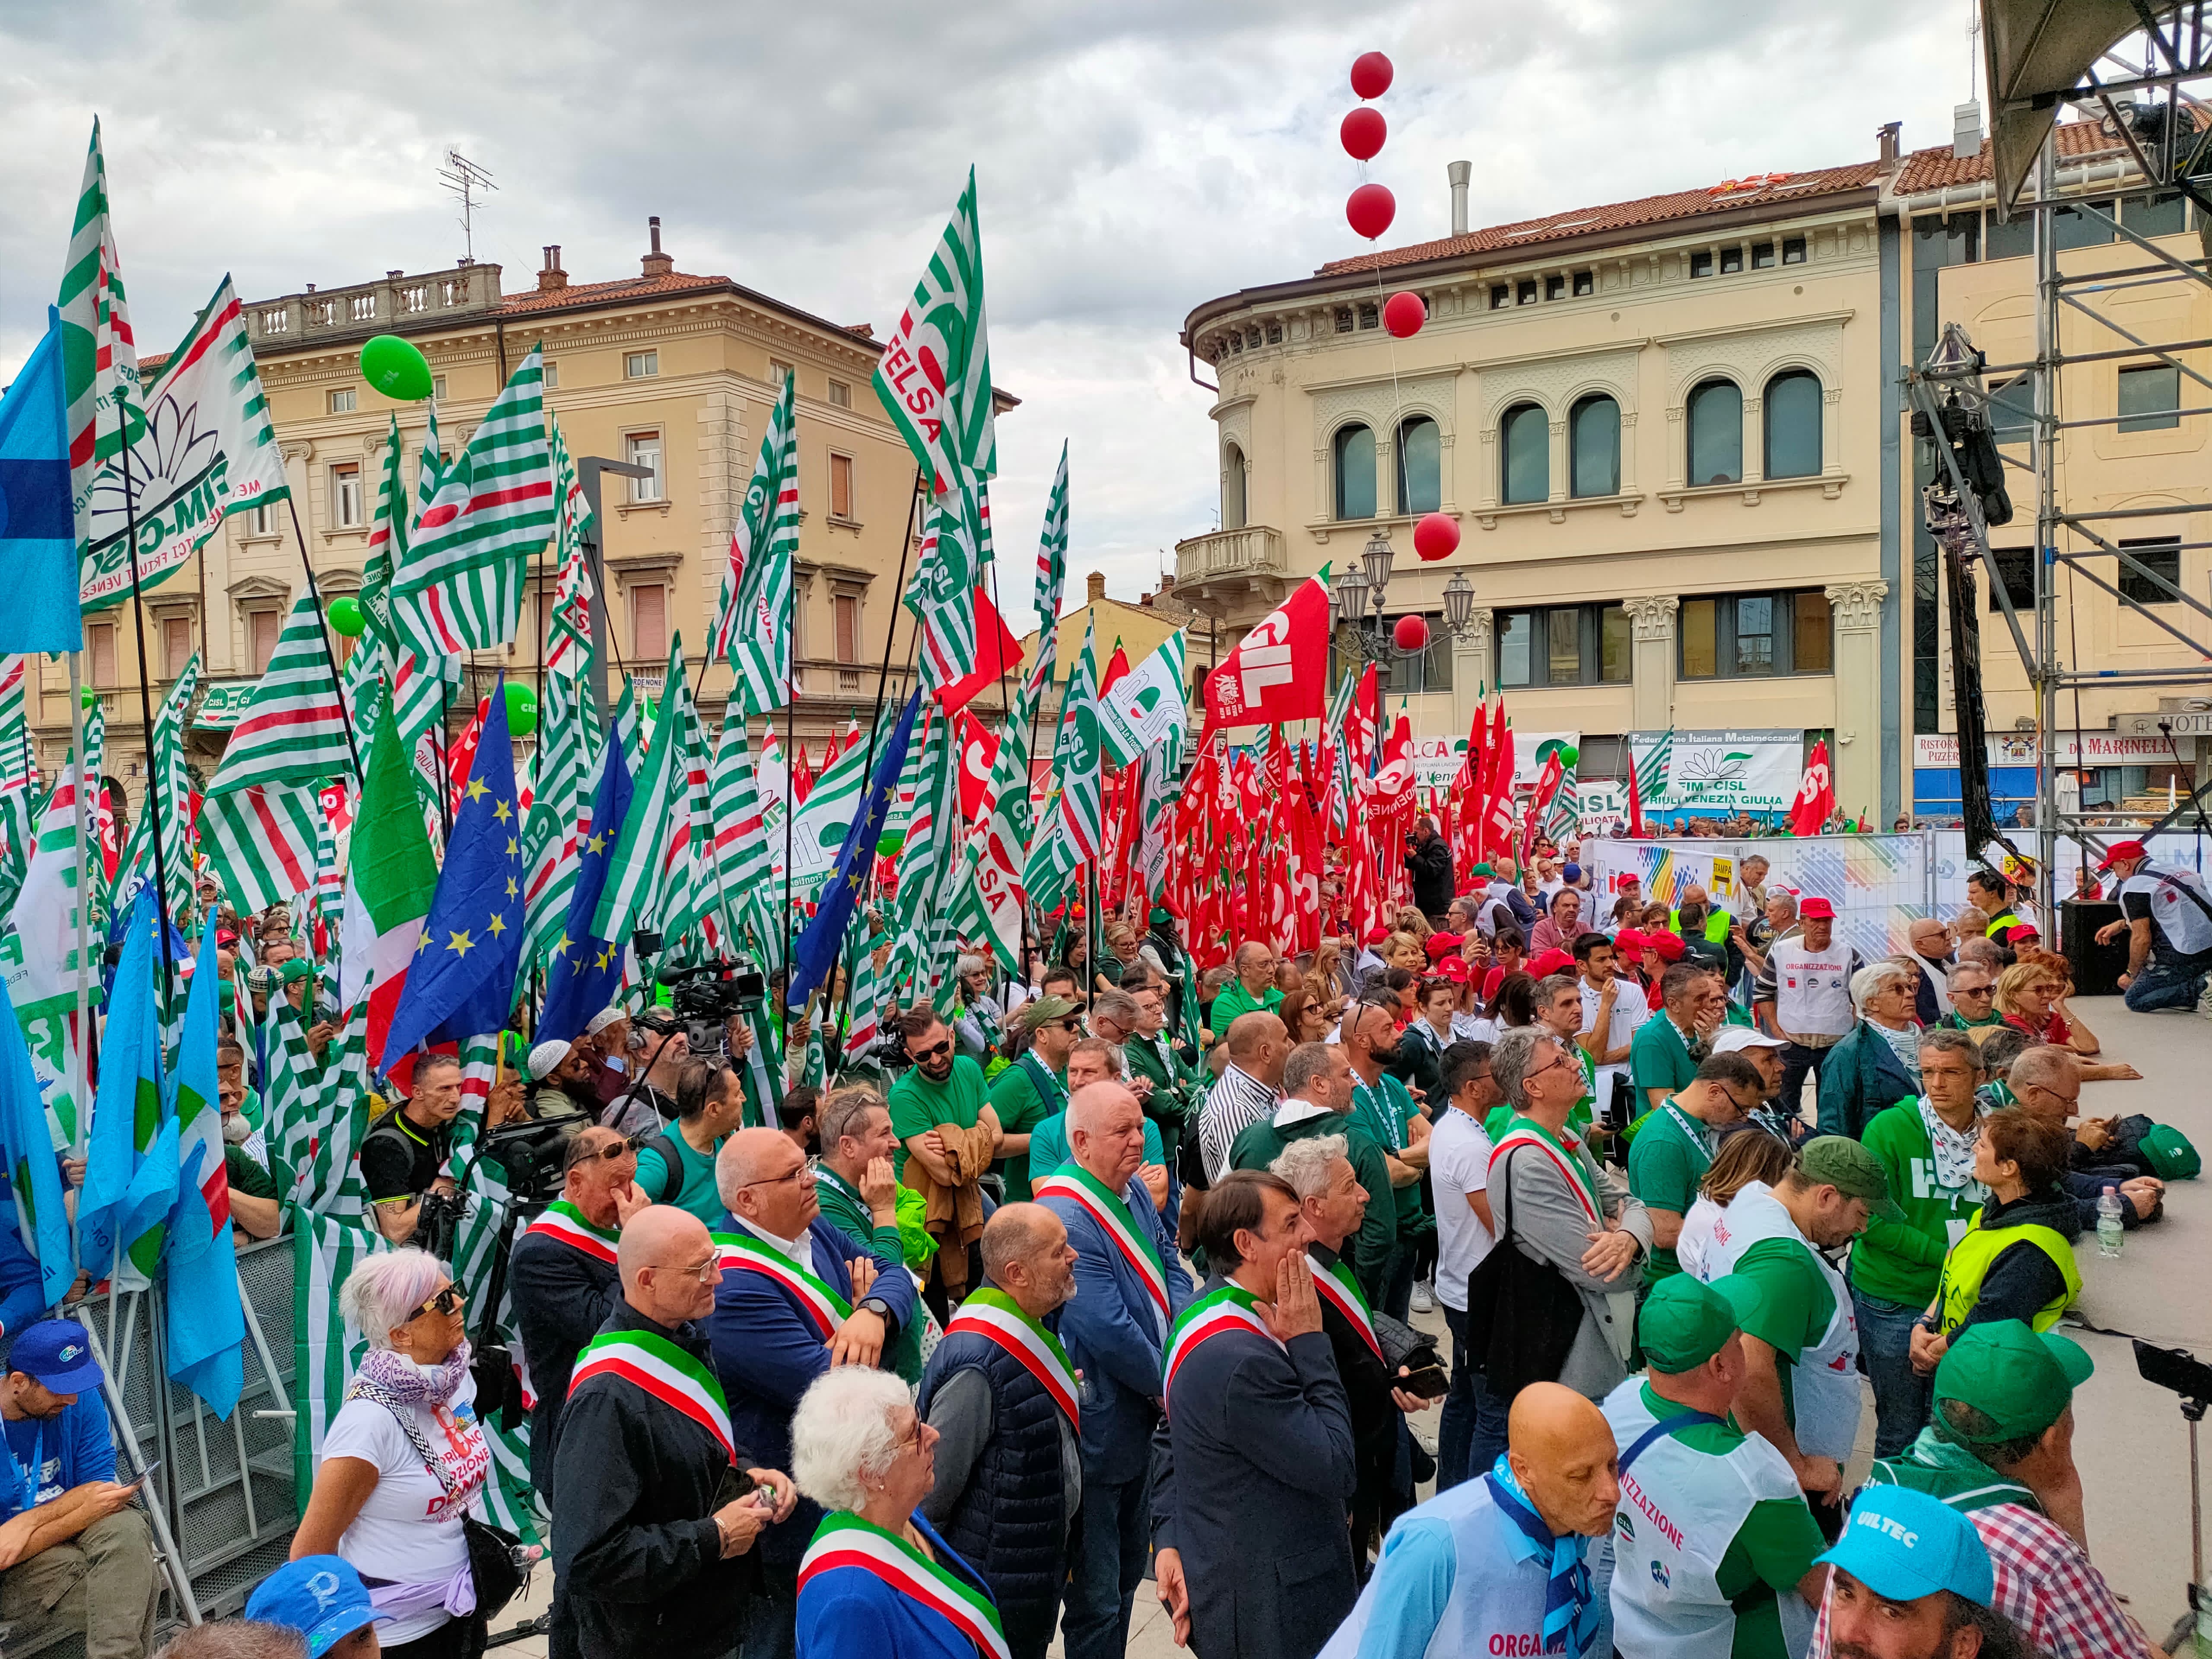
column 463, row 977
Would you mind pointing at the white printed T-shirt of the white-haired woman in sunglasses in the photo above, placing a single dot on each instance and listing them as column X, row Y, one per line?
column 410, row 1527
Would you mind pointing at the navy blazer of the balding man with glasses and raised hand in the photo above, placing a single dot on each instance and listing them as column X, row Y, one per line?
column 769, row 1353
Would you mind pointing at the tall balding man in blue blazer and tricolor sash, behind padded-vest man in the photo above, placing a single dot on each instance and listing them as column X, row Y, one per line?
column 1129, row 1288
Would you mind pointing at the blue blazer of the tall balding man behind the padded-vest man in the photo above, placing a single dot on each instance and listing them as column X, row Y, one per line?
column 1114, row 1335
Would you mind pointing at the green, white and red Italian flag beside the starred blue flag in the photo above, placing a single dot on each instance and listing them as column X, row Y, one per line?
column 390, row 879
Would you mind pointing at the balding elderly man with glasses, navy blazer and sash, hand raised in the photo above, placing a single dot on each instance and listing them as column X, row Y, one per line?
column 797, row 1297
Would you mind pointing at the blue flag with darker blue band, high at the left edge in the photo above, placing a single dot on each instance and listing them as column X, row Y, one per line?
column 39, row 532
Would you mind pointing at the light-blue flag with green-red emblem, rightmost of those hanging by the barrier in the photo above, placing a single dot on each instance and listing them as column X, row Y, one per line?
column 207, row 1331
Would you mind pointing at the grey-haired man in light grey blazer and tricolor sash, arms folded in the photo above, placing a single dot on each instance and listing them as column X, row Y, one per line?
column 1563, row 1209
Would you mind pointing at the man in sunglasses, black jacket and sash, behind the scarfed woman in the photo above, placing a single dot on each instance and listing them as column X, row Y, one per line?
column 563, row 1275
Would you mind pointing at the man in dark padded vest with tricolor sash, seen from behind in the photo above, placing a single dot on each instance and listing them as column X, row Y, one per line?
column 1003, row 1397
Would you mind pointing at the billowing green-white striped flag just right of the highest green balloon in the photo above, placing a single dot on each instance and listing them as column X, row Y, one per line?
column 459, row 585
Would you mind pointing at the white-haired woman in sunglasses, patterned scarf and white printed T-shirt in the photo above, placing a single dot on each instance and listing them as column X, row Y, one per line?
column 406, row 1459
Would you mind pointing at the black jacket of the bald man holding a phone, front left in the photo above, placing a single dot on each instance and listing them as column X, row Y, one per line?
column 636, row 1547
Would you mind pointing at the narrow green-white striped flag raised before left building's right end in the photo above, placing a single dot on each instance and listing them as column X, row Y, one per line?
column 753, row 625
